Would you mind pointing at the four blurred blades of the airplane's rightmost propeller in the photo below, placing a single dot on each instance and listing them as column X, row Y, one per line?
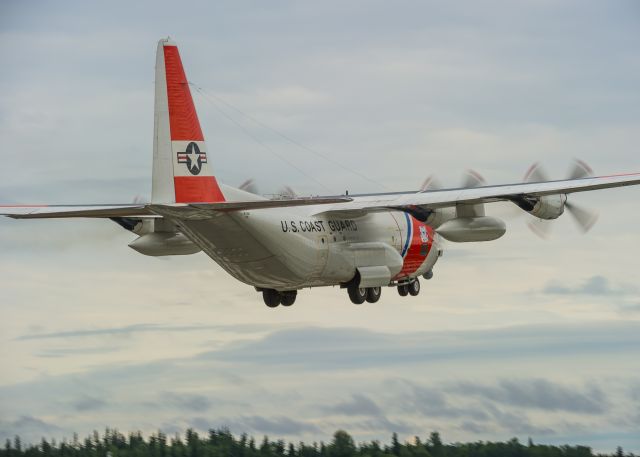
column 583, row 217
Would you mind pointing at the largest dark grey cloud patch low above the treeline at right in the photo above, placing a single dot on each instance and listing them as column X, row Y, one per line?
column 539, row 394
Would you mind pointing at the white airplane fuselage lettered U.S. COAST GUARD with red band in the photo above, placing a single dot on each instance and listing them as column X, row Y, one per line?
column 290, row 248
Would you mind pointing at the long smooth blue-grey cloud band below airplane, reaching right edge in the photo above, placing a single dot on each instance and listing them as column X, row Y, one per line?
column 315, row 348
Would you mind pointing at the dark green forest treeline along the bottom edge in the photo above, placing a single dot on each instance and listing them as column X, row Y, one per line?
column 222, row 443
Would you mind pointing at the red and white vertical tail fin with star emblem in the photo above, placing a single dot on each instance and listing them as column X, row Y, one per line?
column 182, row 172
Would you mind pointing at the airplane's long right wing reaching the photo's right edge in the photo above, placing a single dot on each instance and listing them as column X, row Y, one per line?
column 434, row 199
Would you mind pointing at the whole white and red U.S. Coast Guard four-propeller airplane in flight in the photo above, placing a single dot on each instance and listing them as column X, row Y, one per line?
column 359, row 242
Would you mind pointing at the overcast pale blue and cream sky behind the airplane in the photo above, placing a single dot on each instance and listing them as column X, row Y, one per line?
column 519, row 337
